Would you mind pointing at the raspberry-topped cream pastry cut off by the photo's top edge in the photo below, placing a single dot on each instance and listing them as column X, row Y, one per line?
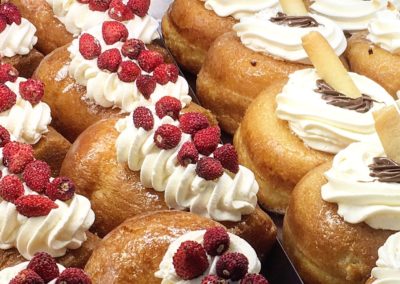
column 59, row 21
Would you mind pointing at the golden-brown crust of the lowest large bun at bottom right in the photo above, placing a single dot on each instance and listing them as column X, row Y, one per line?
column 323, row 247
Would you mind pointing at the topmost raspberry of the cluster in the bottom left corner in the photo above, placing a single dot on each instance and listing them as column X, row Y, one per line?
column 45, row 266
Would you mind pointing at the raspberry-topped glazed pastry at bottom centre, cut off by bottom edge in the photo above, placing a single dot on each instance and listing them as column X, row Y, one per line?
column 142, row 249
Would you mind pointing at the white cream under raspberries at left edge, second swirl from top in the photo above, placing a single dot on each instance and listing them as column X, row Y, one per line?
column 26, row 122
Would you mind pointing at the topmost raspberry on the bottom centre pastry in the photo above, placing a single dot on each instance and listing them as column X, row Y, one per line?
column 216, row 241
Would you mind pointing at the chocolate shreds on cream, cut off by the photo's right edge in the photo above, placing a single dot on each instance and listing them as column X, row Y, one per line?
column 385, row 170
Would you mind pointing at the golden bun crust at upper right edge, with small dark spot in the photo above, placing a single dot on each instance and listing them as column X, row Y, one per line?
column 370, row 60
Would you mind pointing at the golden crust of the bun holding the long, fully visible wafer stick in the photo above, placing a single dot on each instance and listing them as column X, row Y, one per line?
column 279, row 159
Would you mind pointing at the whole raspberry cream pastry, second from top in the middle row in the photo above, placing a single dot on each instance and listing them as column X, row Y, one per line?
column 81, row 91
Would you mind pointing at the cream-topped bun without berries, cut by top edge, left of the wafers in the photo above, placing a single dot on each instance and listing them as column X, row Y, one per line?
column 190, row 26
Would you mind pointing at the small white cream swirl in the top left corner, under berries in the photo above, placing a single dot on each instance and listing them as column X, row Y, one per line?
column 17, row 39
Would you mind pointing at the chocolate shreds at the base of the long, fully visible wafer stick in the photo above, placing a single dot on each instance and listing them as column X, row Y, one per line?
column 335, row 98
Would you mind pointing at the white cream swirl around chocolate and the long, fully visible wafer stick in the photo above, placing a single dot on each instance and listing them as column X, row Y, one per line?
column 322, row 126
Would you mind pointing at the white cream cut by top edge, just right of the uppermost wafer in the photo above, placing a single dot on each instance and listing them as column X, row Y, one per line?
column 350, row 15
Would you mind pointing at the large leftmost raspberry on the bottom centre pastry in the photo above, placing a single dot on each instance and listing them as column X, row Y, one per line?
column 190, row 260
